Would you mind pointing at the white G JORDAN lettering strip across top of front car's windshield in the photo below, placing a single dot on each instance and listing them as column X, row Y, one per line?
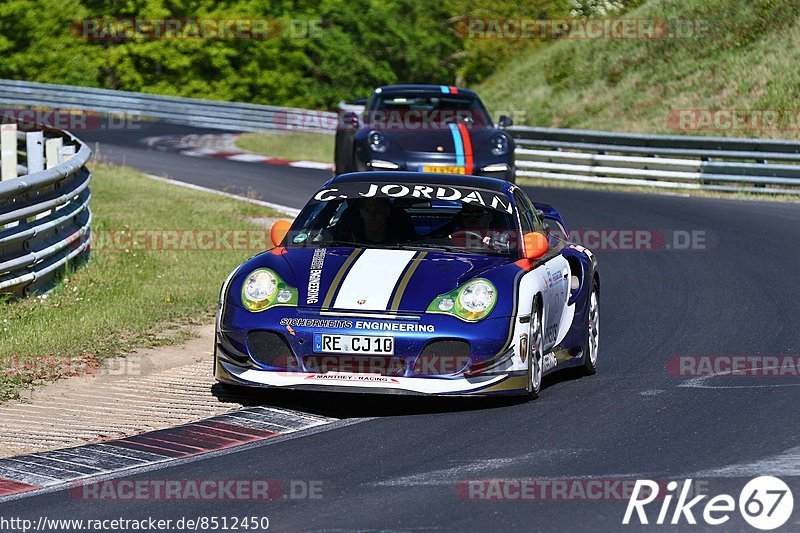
column 499, row 202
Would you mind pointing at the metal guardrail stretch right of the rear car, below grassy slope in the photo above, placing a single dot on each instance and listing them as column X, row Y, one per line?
column 662, row 161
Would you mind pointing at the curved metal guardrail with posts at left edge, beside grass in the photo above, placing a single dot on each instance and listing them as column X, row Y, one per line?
column 44, row 207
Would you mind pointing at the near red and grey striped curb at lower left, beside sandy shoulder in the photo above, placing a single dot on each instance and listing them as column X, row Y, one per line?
column 27, row 473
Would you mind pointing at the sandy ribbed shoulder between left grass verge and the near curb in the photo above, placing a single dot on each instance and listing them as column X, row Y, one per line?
column 146, row 390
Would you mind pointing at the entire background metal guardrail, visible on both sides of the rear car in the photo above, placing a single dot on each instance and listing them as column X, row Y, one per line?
column 660, row 161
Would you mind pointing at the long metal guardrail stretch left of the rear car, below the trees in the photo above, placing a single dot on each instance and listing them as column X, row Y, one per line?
column 169, row 109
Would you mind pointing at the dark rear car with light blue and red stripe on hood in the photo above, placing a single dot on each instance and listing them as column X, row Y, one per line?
column 425, row 128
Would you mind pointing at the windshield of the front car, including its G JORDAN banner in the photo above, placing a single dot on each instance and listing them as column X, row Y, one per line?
column 452, row 219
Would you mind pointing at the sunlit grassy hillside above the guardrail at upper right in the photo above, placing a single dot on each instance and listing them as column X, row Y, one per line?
column 740, row 55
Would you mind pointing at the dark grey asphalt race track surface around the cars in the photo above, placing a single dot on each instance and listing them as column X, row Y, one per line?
column 398, row 469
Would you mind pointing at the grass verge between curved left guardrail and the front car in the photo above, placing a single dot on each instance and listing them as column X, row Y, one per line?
column 150, row 273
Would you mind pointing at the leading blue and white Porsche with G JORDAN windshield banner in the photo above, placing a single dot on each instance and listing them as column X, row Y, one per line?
column 398, row 282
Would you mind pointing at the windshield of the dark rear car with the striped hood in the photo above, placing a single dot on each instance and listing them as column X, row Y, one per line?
column 441, row 109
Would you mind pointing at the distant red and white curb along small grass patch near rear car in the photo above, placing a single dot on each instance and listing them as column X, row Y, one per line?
column 221, row 146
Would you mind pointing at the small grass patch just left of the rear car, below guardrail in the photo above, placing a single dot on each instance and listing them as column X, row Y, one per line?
column 295, row 146
